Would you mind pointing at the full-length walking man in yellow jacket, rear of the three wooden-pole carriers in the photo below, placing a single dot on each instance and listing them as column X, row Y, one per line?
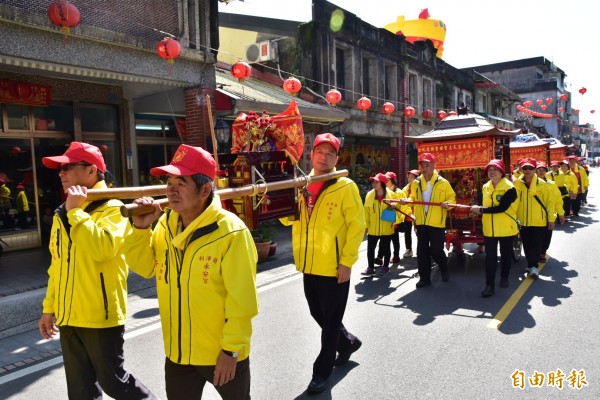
column 326, row 239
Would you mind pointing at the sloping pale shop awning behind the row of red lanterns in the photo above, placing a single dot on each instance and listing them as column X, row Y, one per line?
column 255, row 95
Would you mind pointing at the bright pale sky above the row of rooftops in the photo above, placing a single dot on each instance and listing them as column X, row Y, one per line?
column 483, row 32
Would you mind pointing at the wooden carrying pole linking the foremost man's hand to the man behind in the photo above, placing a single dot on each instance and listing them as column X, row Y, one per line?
column 249, row 190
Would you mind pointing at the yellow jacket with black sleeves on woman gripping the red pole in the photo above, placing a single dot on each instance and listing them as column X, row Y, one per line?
column 498, row 224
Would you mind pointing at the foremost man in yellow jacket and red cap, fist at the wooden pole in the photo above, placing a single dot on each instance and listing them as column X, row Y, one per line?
column 204, row 261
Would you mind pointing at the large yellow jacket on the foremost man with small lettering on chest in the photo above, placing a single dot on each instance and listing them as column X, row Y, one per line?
column 205, row 280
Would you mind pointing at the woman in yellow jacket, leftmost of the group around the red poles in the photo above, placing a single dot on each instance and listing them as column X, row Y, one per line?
column 379, row 230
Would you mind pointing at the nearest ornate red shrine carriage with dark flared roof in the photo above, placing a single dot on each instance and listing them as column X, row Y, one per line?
column 463, row 145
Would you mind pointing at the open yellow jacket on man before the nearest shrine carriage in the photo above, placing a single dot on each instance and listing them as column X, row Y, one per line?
column 441, row 192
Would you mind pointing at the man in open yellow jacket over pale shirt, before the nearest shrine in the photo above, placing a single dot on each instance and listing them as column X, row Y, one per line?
column 431, row 219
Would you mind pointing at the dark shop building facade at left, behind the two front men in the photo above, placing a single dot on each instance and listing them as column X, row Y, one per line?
column 103, row 83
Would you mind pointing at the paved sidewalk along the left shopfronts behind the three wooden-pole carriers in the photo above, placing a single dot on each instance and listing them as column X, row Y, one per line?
column 23, row 281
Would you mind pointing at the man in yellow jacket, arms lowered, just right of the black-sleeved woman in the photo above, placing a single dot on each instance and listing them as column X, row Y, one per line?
column 535, row 212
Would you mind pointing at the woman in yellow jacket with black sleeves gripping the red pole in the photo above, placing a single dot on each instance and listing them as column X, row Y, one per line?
column 499, row 218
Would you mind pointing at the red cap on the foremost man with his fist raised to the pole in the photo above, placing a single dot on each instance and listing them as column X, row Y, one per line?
column 187, row 161
